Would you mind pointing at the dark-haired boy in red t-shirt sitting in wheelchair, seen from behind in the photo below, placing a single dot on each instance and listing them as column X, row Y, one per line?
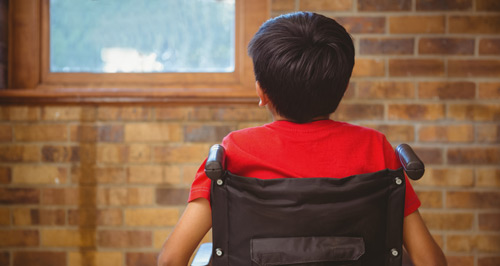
column 302, row 63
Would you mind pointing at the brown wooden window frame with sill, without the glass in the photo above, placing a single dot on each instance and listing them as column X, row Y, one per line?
column 30, row 79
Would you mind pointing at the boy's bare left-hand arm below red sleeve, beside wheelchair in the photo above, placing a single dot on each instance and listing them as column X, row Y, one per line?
column 187, row 234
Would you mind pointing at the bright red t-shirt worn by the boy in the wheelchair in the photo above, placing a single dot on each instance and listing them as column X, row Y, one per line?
column 324, row 148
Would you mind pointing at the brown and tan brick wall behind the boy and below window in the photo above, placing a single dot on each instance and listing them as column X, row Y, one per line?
column 103, row 185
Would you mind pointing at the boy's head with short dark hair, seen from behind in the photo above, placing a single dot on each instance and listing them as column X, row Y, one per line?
column 303, row 62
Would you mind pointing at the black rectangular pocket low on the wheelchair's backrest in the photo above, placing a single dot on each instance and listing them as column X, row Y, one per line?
column 307, row 251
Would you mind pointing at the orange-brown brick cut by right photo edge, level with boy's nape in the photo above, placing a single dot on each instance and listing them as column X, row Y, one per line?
column 474, row 112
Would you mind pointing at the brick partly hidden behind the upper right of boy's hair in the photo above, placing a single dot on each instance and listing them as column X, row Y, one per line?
column 355, row 25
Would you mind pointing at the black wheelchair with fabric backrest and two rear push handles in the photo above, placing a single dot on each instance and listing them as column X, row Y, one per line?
column 355, row 220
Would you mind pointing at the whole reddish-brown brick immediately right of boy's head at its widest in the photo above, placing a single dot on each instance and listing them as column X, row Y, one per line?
column 386, row 46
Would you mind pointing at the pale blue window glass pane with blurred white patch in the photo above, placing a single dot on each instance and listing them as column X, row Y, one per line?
column 110, row 36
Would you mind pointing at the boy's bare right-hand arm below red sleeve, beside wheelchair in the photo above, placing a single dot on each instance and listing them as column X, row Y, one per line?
column 419, row 243
